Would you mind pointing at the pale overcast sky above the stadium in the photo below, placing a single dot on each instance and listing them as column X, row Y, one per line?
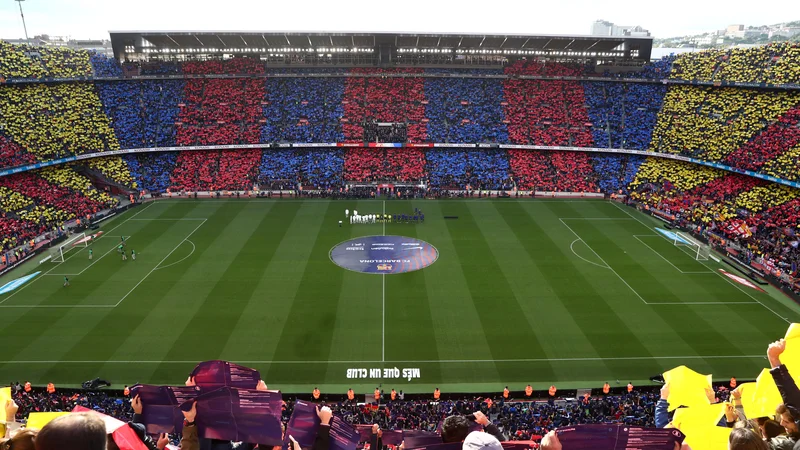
column 85, row 19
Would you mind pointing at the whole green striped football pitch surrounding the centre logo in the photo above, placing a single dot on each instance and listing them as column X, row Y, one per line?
column 572, row 293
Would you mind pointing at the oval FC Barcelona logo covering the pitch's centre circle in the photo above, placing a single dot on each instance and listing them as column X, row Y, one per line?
column 384, row 254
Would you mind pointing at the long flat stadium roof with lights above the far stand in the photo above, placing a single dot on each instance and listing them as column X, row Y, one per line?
column 130, row 43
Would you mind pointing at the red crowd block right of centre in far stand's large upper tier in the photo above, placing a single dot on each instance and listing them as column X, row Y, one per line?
column 546, row 112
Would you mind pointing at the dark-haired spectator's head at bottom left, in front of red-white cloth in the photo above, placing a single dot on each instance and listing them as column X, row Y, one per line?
column 78, row 431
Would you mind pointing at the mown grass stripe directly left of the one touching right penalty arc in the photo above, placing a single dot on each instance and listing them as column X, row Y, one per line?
column 554, row 326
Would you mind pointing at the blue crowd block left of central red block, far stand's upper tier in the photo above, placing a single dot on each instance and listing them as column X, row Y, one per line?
column 303, row 110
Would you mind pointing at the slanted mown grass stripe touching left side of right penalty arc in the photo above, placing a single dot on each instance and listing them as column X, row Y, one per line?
column 608, row 334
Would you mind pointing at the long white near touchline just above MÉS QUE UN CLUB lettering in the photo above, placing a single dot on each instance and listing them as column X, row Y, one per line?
column 430, row 361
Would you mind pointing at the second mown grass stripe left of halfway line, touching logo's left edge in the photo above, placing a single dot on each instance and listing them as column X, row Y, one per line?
column 309, row 326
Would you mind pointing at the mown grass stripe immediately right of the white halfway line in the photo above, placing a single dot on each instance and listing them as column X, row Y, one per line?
column 409, row 323
